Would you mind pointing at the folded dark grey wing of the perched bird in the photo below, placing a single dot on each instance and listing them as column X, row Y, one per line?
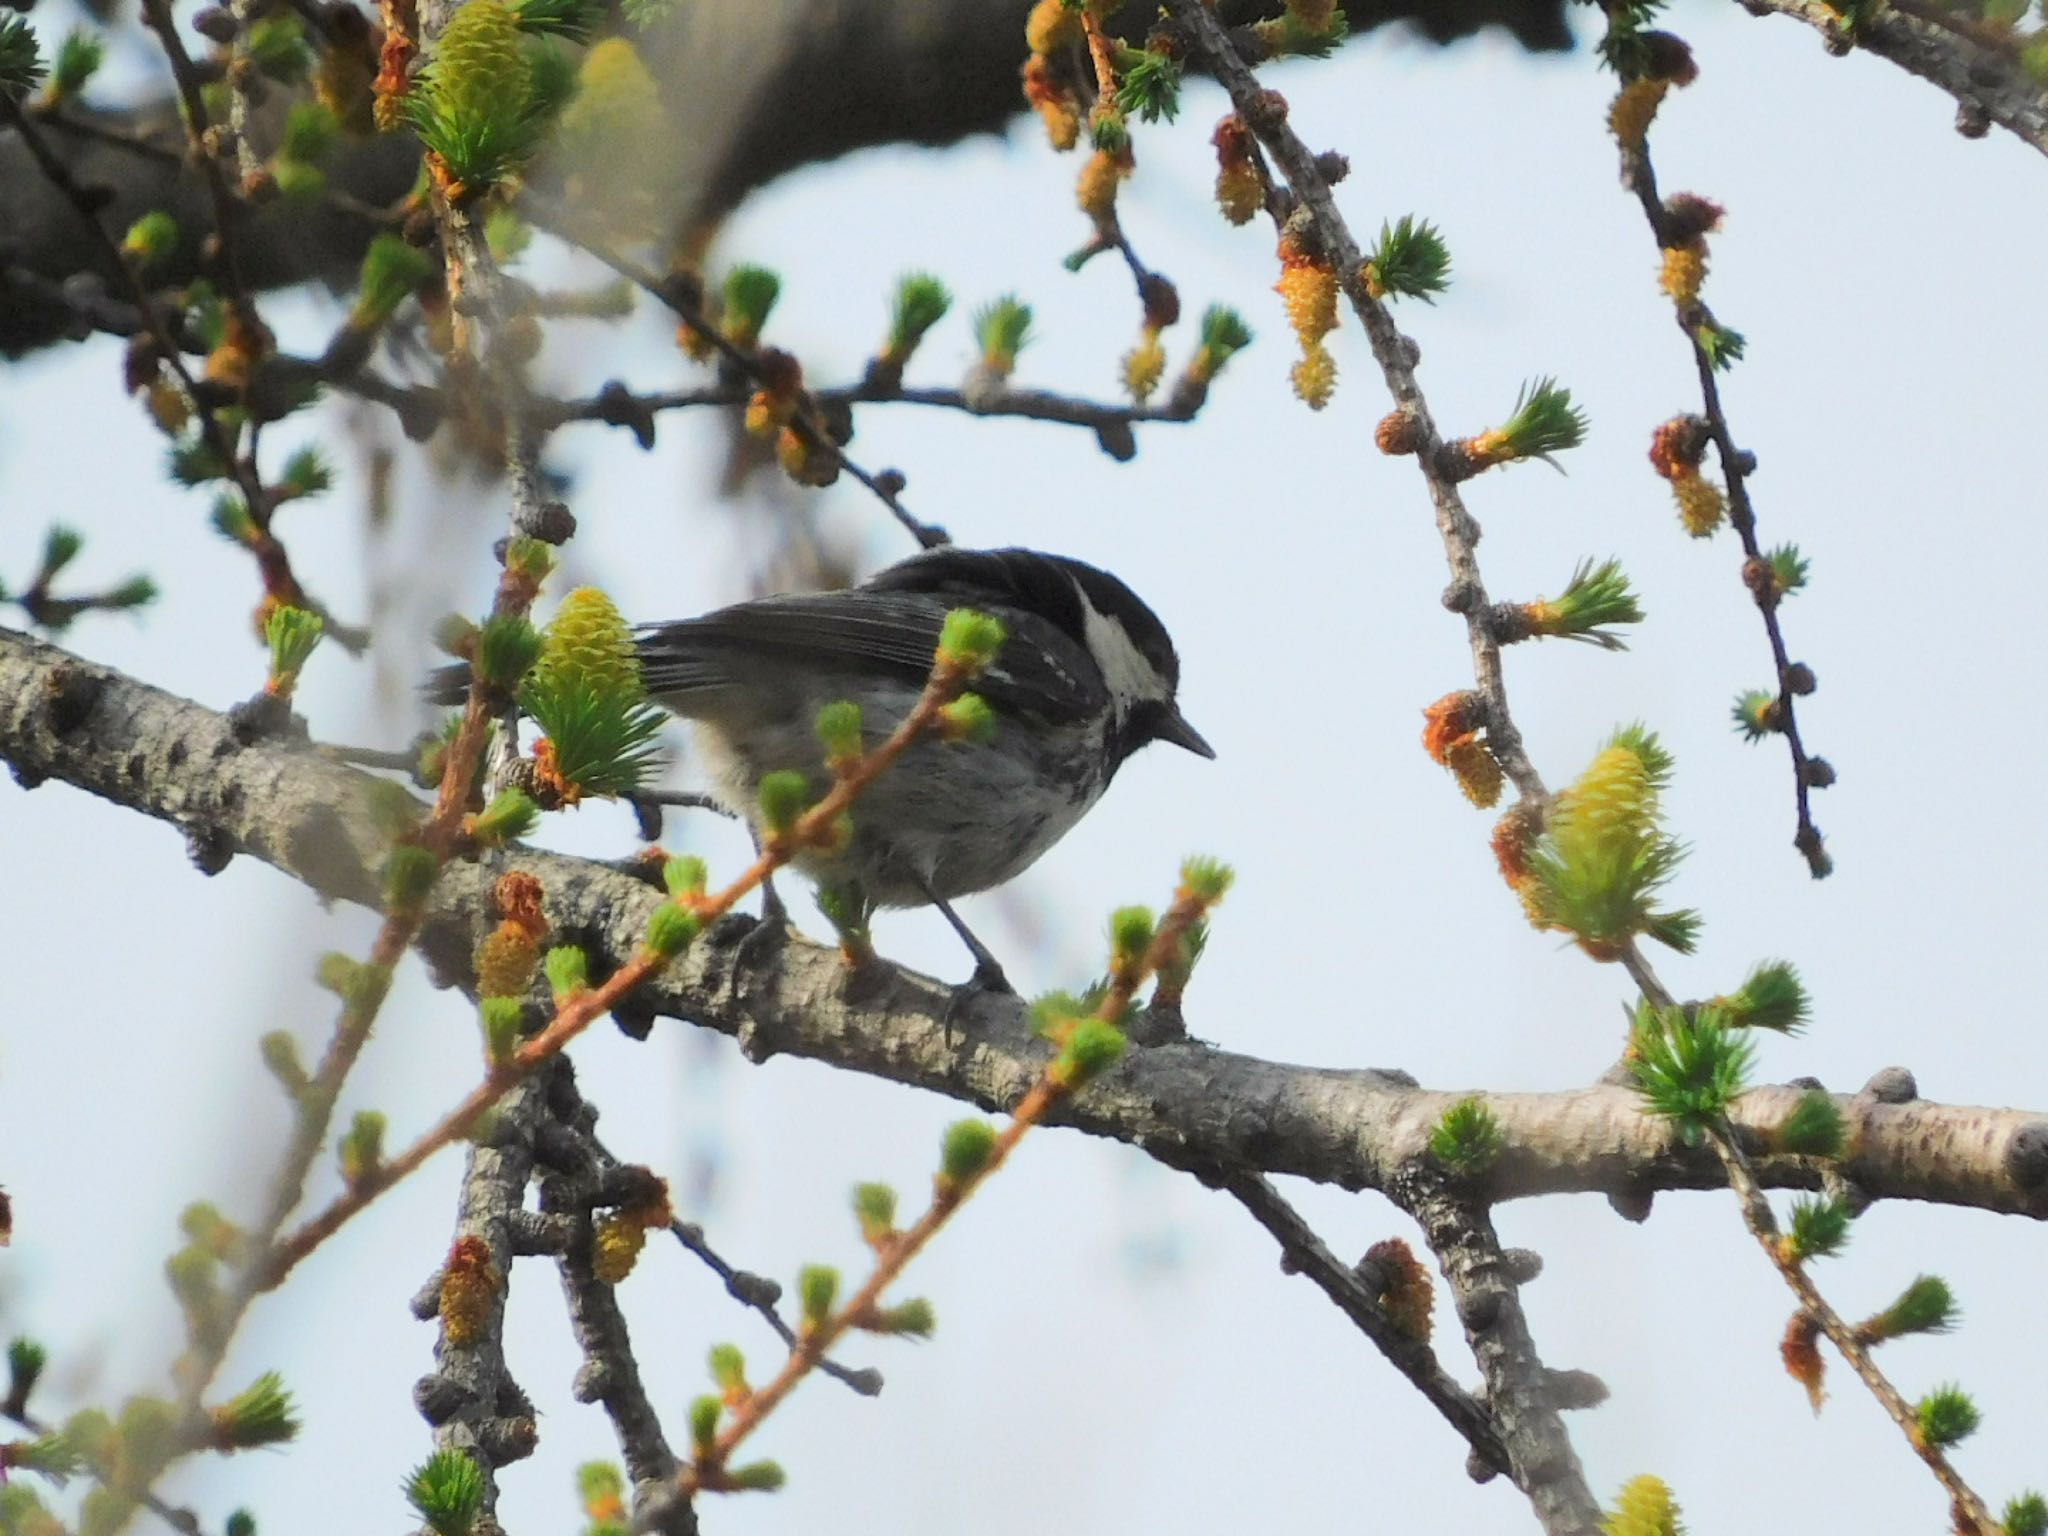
column 845, row 638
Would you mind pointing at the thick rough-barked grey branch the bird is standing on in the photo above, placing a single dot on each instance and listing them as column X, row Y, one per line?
column 1185, row 1103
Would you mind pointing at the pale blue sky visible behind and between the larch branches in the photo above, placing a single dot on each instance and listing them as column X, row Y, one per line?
column 1879, row 267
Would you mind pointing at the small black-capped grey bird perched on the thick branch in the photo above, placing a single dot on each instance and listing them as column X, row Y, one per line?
column 1084, row 679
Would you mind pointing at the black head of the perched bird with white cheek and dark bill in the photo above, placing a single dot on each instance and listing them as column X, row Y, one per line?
column 1125, row 638
